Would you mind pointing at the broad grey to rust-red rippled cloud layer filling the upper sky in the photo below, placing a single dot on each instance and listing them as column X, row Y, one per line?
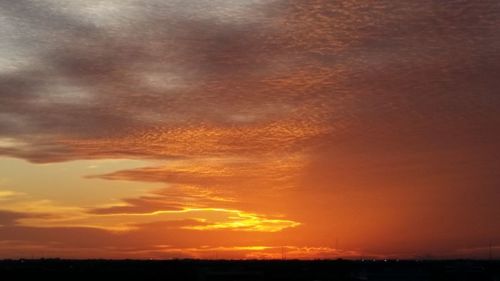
column 96, row 70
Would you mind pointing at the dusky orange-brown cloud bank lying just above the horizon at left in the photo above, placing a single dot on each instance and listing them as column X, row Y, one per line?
column 156, row 239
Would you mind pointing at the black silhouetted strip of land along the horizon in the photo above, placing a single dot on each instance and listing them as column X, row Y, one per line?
column 55, row 269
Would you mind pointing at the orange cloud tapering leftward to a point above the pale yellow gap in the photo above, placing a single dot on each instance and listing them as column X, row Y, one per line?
column 216, row 172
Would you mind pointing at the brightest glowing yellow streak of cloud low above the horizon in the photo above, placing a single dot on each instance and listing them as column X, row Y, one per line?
column 206, row 219
